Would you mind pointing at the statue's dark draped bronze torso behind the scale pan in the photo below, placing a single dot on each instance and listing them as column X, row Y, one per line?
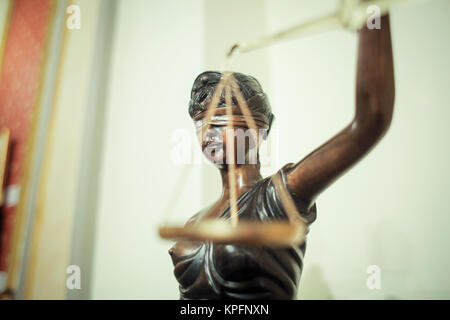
column 207, row 270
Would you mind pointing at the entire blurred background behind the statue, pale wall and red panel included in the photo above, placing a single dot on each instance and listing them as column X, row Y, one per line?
column 94, row 95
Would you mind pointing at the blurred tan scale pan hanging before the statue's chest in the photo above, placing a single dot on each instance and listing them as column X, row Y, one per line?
column 273, row 233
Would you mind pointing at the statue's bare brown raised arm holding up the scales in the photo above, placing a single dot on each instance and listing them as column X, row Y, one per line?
column 374, row 108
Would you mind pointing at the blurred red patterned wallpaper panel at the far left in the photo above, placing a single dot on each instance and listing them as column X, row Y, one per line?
column 23, row 62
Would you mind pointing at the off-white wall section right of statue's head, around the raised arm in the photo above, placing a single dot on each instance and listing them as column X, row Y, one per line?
column 391, row 209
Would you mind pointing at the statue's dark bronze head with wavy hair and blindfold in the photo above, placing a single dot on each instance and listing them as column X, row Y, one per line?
column 213, row 134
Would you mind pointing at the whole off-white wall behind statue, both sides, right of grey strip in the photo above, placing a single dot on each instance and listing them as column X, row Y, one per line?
column 390, row 210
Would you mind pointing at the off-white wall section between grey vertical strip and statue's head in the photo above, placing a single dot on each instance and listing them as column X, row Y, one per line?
column 158, row 48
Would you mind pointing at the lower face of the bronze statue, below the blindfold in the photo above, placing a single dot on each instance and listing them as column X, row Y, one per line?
column 216, row 143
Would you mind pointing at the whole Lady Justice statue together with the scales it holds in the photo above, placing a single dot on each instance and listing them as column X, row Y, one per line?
column 250, row 244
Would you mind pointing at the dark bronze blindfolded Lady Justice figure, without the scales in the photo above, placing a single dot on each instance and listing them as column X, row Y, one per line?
column 209, row 270
